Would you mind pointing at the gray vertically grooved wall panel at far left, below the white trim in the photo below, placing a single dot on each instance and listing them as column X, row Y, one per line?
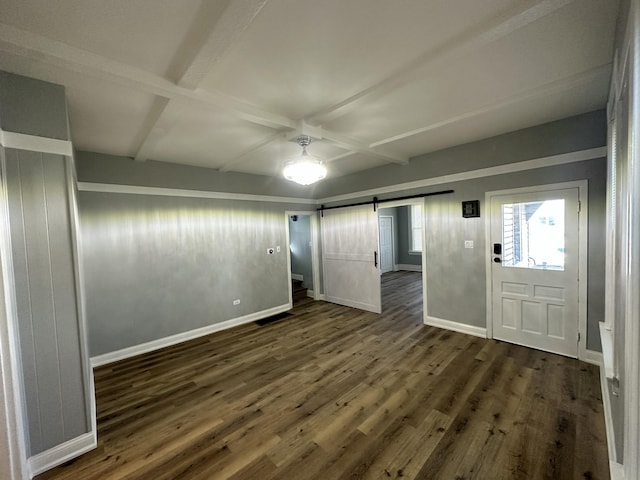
column 45, row 287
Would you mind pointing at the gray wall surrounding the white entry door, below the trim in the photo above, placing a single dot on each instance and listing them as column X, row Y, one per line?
column 456, row 283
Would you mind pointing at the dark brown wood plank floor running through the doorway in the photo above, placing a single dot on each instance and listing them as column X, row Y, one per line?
column 335, row 393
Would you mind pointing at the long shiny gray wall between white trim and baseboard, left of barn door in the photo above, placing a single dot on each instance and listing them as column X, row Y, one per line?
column 157, row 266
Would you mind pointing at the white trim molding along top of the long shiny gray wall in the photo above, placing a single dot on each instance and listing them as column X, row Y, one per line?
column 176, row 192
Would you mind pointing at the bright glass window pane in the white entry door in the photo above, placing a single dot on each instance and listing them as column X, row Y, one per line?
column 533, row 235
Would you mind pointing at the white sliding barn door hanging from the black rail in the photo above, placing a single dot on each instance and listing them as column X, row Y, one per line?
column 350, row 257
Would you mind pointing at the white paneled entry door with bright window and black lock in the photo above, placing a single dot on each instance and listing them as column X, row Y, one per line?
column 534, row 246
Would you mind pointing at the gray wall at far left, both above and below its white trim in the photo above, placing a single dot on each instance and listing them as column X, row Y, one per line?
column 39, row 202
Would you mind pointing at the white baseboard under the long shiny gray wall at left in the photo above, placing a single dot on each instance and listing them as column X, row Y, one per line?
column 128, row 352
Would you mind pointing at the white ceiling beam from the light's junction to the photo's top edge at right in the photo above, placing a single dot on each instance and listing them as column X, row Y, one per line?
column 461, row 45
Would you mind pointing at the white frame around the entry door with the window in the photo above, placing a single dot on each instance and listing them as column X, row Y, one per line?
column 582, row 187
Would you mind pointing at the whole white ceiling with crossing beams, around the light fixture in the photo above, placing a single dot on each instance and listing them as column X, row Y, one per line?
column 227, row 84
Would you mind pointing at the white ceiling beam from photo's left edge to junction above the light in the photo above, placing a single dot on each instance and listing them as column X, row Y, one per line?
column 41, row 49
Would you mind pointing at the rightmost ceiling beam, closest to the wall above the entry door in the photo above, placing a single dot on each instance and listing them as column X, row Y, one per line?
column 541, row 91
